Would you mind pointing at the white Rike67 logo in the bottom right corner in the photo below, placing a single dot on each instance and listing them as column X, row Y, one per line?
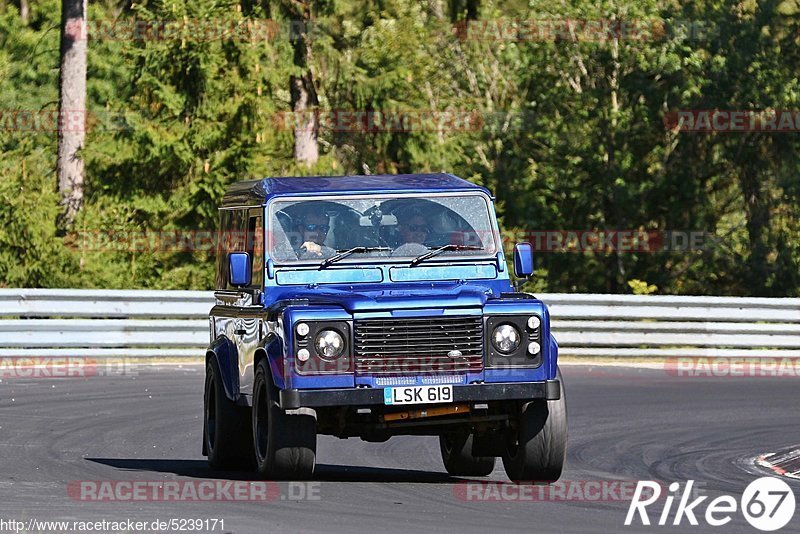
column 767, row 503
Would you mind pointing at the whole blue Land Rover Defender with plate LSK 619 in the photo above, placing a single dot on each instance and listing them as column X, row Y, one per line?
column 370, row 307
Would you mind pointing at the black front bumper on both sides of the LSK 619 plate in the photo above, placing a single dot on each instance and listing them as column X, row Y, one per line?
column 291, row 399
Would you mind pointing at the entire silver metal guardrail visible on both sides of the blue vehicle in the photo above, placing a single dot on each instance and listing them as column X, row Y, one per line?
column 145, row 323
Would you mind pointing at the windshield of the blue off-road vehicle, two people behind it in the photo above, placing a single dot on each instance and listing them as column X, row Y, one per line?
column 399, row 228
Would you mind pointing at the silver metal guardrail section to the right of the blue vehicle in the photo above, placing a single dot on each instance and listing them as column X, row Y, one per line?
column 669, row 326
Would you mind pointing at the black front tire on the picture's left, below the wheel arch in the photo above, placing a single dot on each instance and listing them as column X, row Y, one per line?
column 285, row 446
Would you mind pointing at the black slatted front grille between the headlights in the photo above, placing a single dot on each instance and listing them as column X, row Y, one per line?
column 404, row 346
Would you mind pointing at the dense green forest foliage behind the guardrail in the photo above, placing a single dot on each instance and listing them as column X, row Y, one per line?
column 571, row 134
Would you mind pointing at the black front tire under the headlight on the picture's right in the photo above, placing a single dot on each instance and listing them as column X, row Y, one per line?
column 537, row 450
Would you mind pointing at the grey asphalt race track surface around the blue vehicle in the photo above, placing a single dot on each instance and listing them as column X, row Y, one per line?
column 625, row 425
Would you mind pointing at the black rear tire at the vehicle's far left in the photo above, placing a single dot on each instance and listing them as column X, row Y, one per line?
column 227, row 438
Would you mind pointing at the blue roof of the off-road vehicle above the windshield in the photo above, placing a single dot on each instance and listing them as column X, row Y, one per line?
column 257, row 192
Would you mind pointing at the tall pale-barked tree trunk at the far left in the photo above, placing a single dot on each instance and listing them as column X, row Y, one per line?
column 72, row 109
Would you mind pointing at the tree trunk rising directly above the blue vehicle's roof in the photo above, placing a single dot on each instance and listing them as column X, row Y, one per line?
column 303, row 93
